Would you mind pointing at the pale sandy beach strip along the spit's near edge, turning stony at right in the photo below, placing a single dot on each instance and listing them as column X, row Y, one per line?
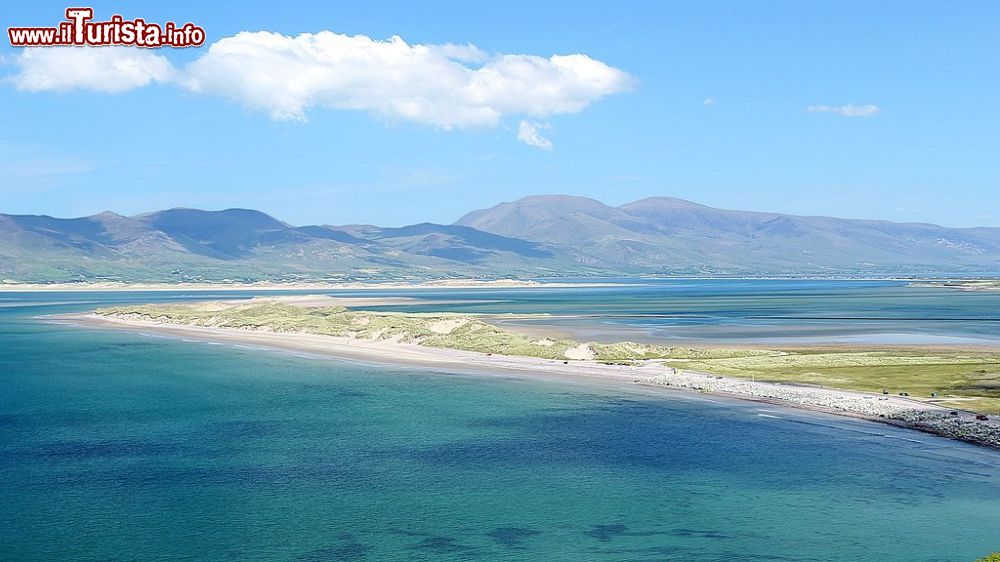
column 893, row 410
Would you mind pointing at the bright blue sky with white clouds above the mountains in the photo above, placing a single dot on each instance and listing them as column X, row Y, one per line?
column 392, row 113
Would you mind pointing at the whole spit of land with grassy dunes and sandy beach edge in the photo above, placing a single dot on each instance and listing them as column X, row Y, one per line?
column 837, row 380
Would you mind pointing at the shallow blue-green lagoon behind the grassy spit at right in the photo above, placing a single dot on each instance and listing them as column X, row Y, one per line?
column 764, row 312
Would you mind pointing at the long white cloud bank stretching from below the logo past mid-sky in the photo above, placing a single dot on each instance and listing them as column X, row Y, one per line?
column 445, row 86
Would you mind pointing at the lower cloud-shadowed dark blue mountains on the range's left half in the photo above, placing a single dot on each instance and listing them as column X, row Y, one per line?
column 246, row 245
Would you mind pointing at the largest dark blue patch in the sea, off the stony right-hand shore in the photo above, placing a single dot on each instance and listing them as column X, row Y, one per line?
column 675, row 437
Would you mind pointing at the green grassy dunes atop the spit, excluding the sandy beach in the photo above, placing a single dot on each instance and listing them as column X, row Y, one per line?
column 964, row 379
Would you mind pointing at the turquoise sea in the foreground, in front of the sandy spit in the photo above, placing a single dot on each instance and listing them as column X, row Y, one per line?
column 122, row 446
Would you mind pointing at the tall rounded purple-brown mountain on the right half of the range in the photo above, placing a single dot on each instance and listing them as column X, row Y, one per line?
column 668, row 235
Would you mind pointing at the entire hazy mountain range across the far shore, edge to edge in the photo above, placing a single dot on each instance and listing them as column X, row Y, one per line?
column 538, row 236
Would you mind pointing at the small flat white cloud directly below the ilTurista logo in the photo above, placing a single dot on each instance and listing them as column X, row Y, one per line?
column 104, row 69
